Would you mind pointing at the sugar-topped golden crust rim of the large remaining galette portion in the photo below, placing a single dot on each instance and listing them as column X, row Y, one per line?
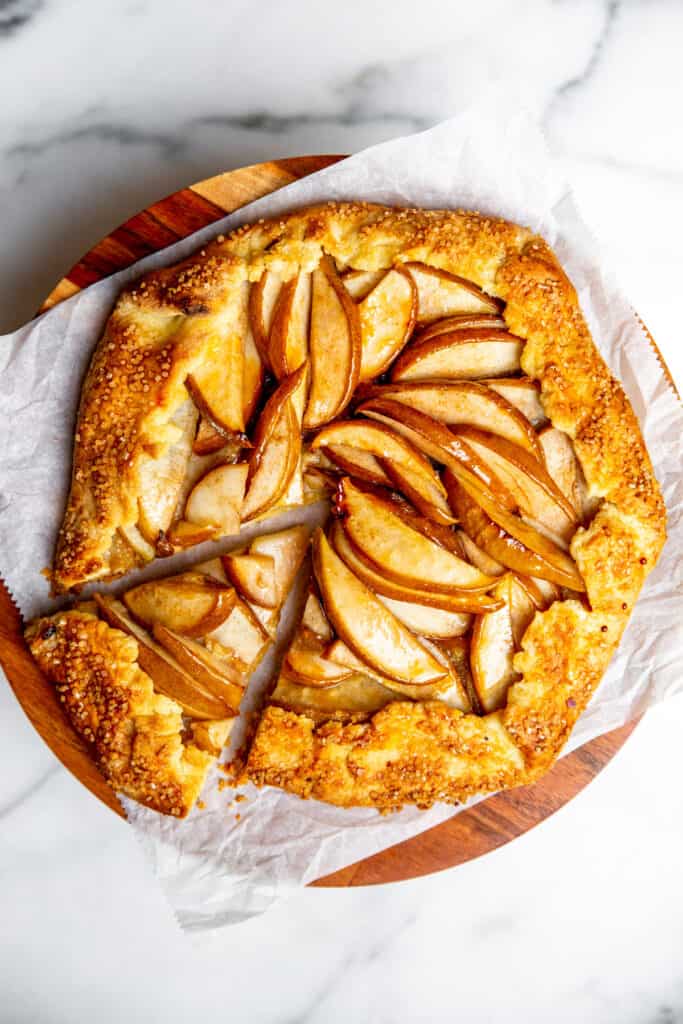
column 409, row 753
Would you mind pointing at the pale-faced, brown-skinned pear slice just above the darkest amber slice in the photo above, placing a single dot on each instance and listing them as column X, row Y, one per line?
column 535, row 491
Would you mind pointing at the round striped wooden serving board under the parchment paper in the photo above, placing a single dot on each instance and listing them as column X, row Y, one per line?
column 484, row 828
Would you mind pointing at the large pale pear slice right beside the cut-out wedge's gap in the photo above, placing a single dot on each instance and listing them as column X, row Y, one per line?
column 366, row 626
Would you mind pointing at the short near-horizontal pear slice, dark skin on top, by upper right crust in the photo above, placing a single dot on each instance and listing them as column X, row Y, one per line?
column 460, row 356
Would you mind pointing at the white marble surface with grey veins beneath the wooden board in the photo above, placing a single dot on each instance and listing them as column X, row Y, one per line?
column 107, row 106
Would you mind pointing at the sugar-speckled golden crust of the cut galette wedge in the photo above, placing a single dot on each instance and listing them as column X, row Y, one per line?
column 135, row 734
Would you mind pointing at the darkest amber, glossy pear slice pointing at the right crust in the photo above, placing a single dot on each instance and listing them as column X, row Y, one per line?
column 508, row 540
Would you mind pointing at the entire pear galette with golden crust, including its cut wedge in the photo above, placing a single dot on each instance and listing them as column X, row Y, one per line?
column 494, row 508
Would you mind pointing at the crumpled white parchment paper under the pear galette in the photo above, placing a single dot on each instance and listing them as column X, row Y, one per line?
column 218, row 870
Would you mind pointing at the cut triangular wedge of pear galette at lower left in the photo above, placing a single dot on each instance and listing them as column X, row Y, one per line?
column 153, row 681
